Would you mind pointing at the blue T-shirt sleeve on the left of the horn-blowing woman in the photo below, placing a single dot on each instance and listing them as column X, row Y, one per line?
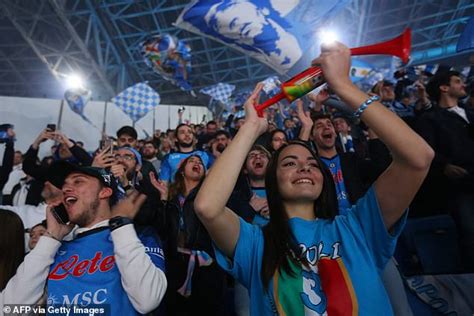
column 247, row 256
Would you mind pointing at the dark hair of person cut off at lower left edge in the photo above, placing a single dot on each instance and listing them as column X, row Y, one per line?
column 12, row 245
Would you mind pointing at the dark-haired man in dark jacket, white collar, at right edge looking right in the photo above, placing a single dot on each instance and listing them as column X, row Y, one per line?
column 449, row 130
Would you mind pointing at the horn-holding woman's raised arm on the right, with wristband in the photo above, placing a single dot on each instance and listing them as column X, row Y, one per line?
column 412, row 156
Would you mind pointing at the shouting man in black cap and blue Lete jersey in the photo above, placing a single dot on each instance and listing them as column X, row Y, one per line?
column 107, row 262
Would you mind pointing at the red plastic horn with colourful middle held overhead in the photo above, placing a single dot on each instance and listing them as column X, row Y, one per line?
column 312, row 77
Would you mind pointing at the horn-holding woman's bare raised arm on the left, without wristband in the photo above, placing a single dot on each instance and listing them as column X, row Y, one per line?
column 221, row 223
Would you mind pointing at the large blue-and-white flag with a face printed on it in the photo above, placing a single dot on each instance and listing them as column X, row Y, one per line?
column 277, row 33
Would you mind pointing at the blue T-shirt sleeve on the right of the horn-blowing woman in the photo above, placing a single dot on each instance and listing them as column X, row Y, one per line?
column 366, row 215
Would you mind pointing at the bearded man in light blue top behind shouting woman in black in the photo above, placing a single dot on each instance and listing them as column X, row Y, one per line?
column 185, row 144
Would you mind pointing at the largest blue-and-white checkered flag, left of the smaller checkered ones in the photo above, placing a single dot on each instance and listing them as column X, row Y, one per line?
column 136, row 101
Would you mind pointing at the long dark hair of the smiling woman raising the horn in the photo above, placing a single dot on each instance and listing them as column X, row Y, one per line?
column 279, row 241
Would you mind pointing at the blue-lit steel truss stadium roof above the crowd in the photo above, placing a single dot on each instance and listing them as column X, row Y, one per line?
column 43, row 39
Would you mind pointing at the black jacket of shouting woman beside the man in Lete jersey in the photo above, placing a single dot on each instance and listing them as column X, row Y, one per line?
column 208, row 283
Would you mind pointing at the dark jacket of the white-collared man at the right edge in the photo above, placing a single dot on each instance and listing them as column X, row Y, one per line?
column 452, row 139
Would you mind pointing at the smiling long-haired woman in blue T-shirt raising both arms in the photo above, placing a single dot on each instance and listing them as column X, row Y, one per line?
column 306, row 259
